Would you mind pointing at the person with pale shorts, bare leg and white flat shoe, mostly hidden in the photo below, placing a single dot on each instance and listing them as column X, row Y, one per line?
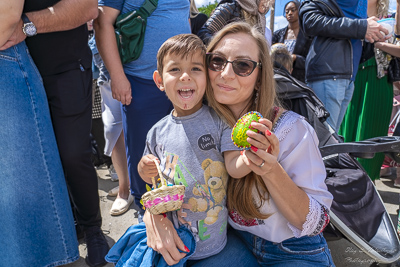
column 114, row 137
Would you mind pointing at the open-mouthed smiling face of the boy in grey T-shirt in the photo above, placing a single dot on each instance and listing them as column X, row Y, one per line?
column 184, row 81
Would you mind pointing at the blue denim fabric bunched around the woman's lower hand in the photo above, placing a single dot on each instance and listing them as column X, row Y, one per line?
column 131, row 249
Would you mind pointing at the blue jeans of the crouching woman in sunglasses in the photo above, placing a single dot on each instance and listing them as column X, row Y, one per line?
column 297, row 252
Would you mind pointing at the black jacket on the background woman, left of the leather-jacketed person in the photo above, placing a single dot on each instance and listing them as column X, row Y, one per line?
column 301, row 48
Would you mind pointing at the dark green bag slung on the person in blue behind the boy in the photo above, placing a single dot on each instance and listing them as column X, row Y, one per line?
column 129, row 31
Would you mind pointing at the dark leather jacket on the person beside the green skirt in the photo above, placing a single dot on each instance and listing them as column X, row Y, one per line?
column 331, row 52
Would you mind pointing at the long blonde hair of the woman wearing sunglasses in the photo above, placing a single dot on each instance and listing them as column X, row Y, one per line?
column 264, row 99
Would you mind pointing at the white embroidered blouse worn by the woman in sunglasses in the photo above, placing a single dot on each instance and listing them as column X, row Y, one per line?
column 300, row 157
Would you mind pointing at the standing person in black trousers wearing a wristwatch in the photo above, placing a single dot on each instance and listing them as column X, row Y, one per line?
column 57, row 37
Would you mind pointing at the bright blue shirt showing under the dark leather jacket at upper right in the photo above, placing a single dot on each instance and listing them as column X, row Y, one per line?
column 354, row 9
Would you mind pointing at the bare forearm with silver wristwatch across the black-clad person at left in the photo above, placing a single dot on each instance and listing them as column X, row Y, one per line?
column 63, row 16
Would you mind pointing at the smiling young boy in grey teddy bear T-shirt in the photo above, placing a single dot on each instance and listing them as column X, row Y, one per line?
column 189, row 145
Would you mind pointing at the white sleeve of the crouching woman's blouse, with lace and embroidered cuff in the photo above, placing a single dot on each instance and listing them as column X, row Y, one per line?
column 302, row 161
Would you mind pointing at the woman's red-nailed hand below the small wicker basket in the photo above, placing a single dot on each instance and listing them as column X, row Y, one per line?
column 163, row 238
